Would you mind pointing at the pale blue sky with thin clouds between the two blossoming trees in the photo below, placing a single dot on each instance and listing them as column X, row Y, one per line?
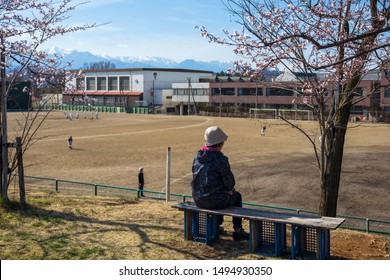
column 141, row 28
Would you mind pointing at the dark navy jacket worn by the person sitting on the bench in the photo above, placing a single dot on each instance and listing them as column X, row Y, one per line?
column 212, row 178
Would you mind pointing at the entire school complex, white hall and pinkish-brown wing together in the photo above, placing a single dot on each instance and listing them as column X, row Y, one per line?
column 185, row 91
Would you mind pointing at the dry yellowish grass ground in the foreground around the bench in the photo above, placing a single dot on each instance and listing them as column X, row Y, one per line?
column 57, row 226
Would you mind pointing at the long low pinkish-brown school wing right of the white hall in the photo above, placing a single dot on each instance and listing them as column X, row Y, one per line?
column 282, row 92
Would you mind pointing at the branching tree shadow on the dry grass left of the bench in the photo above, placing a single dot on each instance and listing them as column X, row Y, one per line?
column 139, row 228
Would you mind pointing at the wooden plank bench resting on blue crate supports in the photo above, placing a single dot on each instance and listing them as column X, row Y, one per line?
column 310, row 235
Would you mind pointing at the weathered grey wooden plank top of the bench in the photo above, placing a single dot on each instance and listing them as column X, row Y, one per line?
column 264, row 215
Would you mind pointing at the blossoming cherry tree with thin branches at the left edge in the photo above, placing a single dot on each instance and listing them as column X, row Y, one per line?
column 25, row 25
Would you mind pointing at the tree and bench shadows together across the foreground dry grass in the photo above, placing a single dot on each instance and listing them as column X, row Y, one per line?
column 224, row 248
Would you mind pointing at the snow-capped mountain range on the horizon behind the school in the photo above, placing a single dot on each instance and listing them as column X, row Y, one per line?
column 78, row 60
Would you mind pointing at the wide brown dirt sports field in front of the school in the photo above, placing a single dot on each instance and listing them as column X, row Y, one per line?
column 277, row 169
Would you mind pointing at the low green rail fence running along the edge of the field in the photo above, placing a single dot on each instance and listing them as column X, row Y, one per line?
column 71, row 187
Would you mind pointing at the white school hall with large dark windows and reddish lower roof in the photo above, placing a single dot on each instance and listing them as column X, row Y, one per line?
column 131, row 87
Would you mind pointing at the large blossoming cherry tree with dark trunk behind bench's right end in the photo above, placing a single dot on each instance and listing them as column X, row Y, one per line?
column 342, row 39
